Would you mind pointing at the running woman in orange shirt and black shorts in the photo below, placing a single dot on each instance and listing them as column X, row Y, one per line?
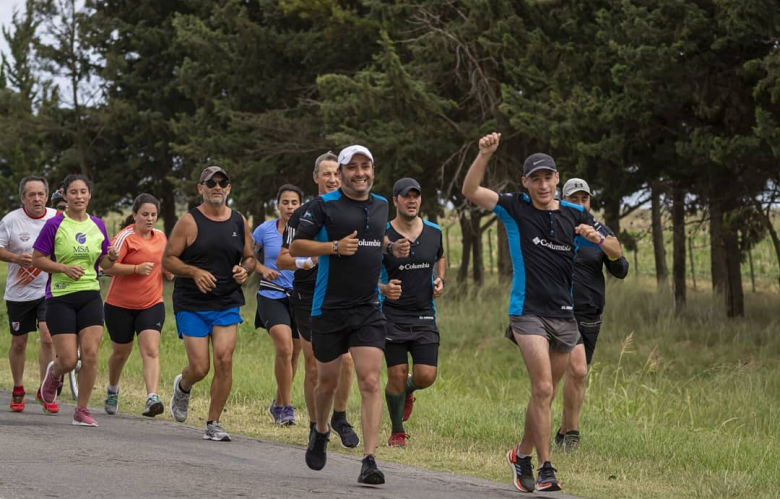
column 134, row 303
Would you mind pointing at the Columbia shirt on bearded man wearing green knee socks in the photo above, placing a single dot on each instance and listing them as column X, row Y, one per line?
column 415, row 306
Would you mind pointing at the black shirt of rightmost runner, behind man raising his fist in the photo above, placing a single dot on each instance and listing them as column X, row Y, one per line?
column 589, row 277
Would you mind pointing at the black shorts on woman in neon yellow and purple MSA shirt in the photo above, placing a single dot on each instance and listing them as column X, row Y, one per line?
column 70, row 314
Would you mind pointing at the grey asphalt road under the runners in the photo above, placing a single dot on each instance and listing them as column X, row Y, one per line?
column 44, row 456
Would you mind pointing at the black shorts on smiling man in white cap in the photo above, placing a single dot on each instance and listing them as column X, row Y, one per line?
column 336, row 331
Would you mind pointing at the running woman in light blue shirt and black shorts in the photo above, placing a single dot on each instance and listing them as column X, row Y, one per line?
column 273, row 305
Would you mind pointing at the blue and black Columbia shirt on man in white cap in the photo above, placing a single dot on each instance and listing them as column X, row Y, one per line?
column 344, row 282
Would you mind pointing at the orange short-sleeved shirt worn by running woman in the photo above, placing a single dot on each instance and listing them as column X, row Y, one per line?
column 135, row 291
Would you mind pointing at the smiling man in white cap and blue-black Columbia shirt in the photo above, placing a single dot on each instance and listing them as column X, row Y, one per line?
column 345, row 229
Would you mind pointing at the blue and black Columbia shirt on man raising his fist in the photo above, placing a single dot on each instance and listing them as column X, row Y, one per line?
column 542, row 244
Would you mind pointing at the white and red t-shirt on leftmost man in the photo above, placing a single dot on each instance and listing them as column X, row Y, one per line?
column 18, row 232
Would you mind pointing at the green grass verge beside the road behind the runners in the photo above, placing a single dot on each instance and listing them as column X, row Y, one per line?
column 677, row 406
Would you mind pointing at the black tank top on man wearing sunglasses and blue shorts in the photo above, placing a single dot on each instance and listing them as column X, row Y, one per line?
column 218, row 247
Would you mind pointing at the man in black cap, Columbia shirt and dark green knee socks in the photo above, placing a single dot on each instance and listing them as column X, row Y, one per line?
column 409, row 286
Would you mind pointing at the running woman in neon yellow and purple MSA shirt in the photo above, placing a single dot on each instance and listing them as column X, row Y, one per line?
column 70, row 247
